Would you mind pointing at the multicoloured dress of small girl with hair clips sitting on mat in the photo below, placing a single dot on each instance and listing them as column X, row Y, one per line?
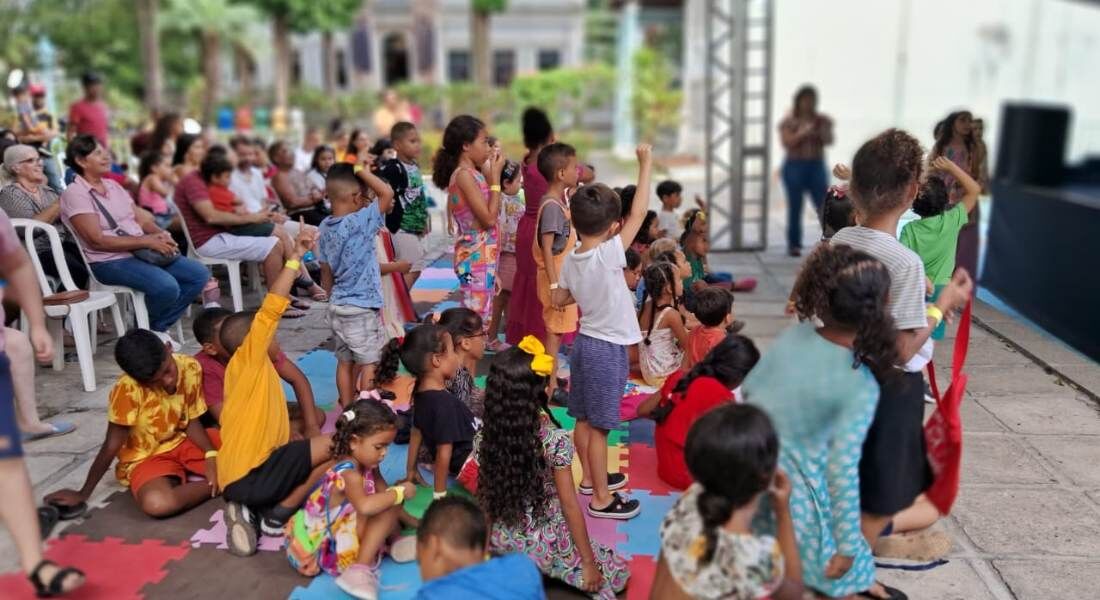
column 322, row 537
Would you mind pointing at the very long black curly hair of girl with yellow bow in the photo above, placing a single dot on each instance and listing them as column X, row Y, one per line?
column 513, row 466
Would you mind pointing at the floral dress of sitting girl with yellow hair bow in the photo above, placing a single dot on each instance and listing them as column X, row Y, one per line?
column 548, row 541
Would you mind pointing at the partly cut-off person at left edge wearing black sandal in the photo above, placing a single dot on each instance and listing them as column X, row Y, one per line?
column 18, row 510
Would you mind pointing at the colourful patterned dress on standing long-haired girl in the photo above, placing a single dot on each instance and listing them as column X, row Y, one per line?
column 476, row 250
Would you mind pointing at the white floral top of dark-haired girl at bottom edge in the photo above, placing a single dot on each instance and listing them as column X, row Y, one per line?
column 744, row 566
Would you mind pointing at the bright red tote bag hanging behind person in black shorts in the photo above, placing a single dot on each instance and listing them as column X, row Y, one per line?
column 943, row 433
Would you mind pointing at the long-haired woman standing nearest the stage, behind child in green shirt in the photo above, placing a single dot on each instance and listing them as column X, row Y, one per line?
column 956, row 141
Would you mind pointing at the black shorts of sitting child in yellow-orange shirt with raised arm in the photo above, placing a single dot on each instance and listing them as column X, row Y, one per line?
column 274, row 479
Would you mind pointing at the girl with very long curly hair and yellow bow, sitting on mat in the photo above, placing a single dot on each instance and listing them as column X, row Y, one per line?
column 525, row 478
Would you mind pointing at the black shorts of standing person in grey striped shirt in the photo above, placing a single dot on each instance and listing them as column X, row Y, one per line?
column 895, row 467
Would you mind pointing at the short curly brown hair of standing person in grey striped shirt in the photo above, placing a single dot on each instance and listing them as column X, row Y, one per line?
column 883, row 170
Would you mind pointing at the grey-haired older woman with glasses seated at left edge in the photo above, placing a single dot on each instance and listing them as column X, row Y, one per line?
column 29, row 198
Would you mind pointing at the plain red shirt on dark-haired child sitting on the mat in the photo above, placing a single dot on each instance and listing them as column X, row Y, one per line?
column 703, row 395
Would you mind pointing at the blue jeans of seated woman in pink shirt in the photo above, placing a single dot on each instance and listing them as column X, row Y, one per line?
column 169, row 290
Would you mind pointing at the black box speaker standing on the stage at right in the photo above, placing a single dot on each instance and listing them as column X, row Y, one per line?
column 1033, row 145
